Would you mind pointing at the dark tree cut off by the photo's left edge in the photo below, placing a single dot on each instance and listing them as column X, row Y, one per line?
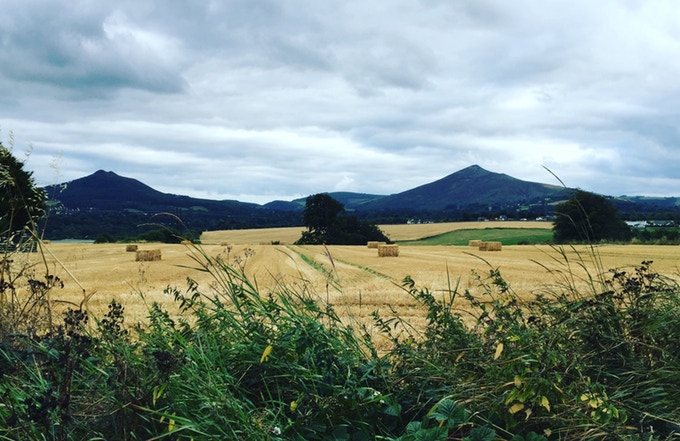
column 21, row 202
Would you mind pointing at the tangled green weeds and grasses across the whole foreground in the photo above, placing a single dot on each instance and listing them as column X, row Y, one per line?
column 239, row 364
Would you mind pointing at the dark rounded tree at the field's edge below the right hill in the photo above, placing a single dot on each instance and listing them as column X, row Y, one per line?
column 588, row 217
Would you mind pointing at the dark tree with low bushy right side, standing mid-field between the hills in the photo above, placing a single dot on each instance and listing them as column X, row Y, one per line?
column 327, row 223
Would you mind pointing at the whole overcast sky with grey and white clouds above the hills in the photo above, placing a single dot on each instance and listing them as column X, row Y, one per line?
column 258, row 100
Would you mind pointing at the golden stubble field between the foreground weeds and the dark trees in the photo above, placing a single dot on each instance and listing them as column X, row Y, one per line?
column 354, row 278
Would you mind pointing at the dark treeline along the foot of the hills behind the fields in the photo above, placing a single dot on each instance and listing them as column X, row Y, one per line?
column 123, row 225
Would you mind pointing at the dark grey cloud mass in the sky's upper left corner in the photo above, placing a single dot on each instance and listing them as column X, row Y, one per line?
column 86, row 51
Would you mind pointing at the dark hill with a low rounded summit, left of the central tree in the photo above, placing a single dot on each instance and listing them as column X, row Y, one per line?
column 105, row 202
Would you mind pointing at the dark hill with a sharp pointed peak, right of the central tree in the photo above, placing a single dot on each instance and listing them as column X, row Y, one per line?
column 470, row 188
